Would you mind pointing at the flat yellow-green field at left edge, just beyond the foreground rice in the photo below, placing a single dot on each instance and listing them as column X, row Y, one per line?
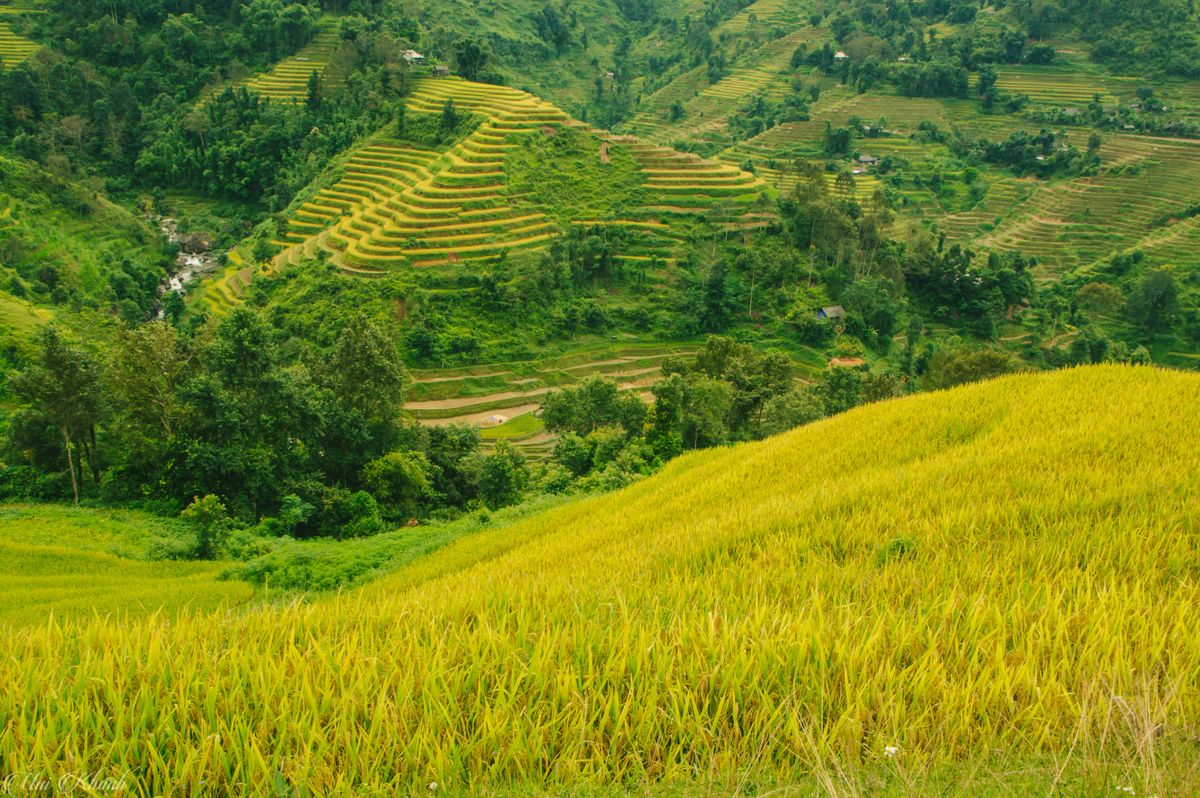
column 70, row 563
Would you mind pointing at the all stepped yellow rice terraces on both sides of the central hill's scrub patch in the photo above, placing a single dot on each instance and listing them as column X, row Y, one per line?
column 398, row 205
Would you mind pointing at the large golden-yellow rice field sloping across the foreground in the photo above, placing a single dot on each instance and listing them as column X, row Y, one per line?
column 989, row 591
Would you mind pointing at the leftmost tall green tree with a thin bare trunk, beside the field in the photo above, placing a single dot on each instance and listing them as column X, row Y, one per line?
column 63, row 385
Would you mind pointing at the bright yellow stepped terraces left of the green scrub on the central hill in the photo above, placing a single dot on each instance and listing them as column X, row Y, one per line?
column 400, row 205
